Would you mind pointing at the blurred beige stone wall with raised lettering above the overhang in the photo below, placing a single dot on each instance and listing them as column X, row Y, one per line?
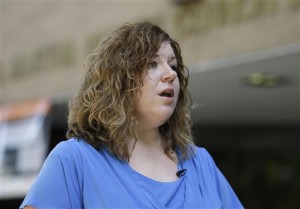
column 44, row 43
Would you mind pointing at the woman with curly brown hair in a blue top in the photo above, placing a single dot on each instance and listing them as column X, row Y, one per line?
column 129, row 134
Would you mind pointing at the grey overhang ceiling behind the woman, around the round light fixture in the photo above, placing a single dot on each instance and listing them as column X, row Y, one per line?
column 223, row 95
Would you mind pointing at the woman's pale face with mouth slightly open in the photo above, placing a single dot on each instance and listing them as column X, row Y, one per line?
column 158, row 95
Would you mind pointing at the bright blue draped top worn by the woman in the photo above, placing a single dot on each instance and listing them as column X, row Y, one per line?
column 76, row 175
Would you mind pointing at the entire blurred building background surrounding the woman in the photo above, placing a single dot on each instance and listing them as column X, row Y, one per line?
column 243, row 57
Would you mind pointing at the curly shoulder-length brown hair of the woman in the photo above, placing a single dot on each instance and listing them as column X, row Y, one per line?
column 103, row 111
